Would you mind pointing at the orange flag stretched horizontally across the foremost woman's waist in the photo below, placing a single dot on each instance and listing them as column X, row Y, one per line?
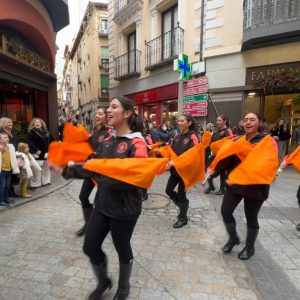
column 136, row 171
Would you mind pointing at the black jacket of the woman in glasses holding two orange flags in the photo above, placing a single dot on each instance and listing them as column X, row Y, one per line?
column 254, row 191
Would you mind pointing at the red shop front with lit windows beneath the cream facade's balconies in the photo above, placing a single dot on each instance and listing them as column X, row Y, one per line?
column 158, row 104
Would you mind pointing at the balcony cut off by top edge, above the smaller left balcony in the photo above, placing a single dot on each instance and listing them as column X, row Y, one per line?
column 126, row 8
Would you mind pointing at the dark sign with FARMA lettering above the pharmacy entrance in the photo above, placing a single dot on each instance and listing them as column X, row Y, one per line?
column 257, row 74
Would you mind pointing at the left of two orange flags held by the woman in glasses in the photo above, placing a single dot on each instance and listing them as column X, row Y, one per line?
column 241, row 148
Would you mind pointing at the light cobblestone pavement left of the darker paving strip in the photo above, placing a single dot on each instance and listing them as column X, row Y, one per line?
column 40, row 258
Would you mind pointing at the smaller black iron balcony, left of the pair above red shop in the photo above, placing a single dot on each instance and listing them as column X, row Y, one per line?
column 128, row 65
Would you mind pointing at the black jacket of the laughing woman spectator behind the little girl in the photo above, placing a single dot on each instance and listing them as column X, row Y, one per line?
column 39, row 140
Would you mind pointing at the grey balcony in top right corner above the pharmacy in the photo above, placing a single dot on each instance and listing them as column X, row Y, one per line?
column 270, row 22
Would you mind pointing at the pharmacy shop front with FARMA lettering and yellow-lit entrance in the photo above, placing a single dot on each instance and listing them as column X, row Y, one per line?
column 275, row 93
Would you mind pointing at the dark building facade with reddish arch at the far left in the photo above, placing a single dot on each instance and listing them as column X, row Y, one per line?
column 27, row 60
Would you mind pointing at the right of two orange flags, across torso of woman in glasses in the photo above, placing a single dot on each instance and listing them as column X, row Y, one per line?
column 259, row 167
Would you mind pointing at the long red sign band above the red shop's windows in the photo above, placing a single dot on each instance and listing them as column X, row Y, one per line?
column 162, row 93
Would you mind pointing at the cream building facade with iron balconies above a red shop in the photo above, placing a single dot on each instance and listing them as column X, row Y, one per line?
column 145, row 37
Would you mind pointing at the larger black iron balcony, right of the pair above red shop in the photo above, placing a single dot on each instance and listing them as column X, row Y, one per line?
column 164, row 49
